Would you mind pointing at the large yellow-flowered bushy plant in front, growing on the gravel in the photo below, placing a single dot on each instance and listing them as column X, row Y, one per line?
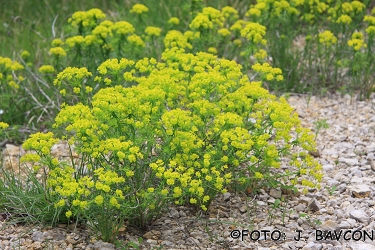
column 191, row 128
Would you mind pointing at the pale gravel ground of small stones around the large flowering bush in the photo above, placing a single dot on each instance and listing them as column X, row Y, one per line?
column 343, row 208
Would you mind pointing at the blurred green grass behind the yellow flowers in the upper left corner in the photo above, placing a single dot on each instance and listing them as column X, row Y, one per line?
column 31, row 25
